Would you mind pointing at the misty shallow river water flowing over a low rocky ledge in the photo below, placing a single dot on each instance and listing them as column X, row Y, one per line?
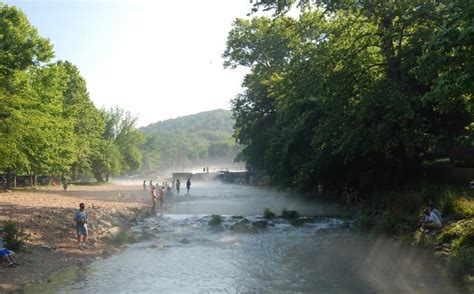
column 185, row 255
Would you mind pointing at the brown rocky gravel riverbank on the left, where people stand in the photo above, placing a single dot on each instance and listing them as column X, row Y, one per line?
column 47, row 215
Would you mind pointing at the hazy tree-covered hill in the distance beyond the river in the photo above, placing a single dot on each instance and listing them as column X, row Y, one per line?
column 204, row 137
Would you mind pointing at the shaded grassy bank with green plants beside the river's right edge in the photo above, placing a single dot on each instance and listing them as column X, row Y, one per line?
column 397, row 213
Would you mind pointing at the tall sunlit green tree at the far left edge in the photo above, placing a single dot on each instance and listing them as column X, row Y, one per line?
column 22, row 49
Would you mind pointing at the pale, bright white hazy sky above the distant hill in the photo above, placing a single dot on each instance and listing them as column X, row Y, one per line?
column 157, row 59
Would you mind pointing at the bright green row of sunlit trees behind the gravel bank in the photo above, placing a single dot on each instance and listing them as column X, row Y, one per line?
column 48, row 123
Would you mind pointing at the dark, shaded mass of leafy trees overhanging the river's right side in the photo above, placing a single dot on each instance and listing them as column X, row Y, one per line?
column 354, row 87
